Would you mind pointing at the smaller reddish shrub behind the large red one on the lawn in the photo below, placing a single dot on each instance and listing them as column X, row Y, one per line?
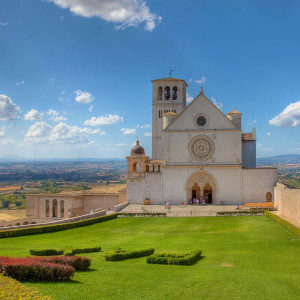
column 78, row 263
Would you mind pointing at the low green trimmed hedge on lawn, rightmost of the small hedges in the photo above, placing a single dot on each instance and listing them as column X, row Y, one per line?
column 175, row 259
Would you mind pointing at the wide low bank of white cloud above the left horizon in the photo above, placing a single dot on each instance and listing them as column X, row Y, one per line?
column 41, row 132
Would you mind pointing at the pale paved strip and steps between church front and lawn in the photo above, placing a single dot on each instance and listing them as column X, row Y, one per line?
column 178, row 210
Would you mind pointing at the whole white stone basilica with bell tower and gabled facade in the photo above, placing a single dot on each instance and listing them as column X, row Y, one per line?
column 197, row 152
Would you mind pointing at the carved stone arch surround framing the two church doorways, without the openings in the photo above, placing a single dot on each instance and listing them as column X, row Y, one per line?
column 203, row 179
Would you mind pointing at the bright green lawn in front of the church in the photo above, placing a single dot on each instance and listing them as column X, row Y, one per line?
column 244, row 257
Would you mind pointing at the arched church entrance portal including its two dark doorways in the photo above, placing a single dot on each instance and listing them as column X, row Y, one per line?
column 203, row 185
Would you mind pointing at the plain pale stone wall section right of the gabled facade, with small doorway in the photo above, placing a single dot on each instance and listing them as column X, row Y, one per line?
column 258, row 182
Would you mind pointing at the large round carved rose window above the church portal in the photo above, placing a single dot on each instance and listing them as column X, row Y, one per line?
column 201, row 147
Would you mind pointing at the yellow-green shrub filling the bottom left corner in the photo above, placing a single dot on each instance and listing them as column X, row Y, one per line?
column 12, row 289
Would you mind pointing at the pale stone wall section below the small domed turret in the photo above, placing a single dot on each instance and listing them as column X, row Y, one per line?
column 138, row 189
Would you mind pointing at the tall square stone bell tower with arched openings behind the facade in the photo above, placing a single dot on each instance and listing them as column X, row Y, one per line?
column 169, row 95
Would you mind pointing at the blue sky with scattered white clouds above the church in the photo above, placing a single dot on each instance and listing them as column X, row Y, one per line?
column 75, row 75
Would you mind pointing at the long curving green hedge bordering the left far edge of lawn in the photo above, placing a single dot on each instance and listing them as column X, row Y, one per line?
column 55, row 227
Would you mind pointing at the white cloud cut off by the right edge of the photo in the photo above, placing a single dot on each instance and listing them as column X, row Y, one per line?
column 289, row 117
